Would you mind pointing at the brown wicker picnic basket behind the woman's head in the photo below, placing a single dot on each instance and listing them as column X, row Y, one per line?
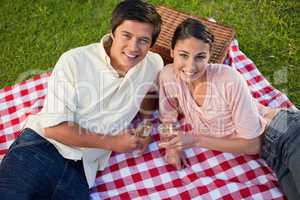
column 171, row 18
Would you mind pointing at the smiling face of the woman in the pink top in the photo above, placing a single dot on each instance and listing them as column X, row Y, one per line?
column 191, row 56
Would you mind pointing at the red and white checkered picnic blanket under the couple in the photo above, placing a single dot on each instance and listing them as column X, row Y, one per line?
column 212, row 174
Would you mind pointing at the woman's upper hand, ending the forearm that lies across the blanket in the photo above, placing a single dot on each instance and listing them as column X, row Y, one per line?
column 178, row 141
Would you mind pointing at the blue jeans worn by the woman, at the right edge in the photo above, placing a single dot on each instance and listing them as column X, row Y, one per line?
column 281, row 151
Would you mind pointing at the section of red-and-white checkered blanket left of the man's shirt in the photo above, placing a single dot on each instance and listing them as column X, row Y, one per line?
column 16, row 103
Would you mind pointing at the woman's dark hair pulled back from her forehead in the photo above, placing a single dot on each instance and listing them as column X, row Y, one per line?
column 192, row 28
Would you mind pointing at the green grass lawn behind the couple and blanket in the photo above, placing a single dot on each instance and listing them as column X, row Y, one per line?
column 33, row 34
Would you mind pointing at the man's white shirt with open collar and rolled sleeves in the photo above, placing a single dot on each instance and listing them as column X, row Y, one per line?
column 84, row 88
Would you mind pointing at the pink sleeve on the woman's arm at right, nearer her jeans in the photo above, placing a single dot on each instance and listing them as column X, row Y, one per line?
column 245, row 114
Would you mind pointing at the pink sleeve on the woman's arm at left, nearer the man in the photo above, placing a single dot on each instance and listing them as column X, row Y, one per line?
column 168, row 103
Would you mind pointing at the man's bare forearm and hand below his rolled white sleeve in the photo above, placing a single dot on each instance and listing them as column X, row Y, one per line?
column 72, row 134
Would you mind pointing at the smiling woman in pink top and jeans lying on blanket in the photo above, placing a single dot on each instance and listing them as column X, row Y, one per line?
column 217, row 103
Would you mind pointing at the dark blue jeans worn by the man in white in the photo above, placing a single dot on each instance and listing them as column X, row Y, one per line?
column 34, row 169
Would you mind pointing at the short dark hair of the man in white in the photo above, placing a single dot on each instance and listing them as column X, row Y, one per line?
column 136, row 10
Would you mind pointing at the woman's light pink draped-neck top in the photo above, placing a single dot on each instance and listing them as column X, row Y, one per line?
column 228, row 109
